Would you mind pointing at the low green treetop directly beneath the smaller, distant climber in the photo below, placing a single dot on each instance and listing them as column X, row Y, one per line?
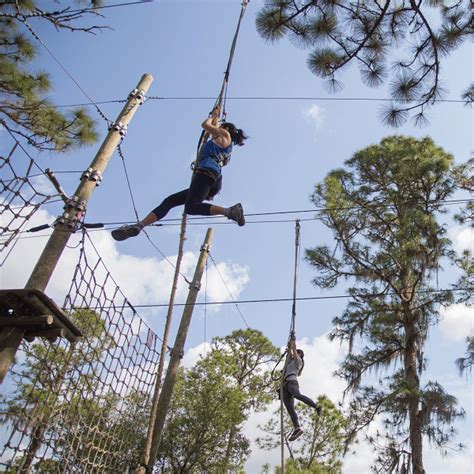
column 324, row 441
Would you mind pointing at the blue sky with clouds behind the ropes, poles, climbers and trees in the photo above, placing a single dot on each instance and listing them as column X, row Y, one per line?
column 293, row 144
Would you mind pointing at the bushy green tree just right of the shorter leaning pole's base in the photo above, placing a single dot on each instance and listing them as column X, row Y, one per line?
column 203, row 410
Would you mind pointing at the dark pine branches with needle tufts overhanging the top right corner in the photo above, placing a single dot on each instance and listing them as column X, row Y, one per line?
column 402, row 37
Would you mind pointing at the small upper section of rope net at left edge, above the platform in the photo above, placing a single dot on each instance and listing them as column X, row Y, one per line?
column 24, row 188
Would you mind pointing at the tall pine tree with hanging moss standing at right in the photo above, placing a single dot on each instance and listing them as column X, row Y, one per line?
column 382, row 208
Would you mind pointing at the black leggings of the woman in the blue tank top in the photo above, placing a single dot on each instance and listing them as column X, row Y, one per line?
column 192, row 198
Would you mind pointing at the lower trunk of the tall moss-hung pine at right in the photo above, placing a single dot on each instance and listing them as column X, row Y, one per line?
column 413, row 382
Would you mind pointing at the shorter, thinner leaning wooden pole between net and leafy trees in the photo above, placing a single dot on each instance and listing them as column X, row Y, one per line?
column 178, row 351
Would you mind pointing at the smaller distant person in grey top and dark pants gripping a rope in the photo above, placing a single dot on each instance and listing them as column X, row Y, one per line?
column 291, row 388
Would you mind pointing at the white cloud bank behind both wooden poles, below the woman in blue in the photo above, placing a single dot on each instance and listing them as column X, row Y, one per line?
column 144, row 280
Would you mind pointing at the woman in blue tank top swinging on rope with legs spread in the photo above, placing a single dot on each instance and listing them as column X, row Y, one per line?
column 206, row 180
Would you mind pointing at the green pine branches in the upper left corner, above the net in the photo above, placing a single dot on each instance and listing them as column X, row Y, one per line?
column 24, row 108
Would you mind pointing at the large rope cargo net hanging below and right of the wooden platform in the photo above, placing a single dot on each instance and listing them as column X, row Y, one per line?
column 83, row 406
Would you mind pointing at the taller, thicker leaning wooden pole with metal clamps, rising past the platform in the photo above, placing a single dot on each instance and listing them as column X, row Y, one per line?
column 12, row 335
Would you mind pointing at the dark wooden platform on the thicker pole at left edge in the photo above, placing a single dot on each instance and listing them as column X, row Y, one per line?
column 36, row 314
